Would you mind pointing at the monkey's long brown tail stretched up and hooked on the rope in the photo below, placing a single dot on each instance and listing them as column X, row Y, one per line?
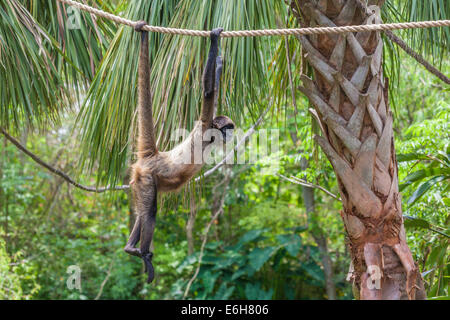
column 146, row 141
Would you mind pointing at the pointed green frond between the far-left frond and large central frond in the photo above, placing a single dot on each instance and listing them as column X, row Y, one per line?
column 82, row 38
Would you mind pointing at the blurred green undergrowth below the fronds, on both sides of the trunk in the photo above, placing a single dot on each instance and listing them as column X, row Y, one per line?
column 261, row 247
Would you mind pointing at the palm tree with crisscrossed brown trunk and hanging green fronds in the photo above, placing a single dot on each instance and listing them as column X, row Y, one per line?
column 347, row 87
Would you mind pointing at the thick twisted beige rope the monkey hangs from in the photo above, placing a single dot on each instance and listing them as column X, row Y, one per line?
column 265, row 32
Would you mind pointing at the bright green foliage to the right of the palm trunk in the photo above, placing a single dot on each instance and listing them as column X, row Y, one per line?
column 423, row 153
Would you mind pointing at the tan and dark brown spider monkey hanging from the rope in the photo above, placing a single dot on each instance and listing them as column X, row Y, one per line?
column 162, row 171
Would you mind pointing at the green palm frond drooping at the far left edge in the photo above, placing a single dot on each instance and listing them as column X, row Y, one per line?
column 31, row 90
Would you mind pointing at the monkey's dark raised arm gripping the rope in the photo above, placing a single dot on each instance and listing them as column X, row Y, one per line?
column 209, row 79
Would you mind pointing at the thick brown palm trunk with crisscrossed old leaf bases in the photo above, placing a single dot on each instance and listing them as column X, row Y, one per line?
column 350, row 97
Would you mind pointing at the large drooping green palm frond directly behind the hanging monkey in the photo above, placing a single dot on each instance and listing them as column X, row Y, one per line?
column 109, row 111
